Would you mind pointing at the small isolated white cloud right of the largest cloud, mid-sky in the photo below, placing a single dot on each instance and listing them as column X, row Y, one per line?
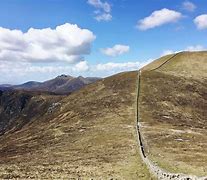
column 115, row 50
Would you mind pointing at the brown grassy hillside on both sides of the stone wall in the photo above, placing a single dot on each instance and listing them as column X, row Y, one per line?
column 91, row 134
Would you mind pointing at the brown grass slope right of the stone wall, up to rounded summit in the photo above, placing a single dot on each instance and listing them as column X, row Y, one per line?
column 173, row 110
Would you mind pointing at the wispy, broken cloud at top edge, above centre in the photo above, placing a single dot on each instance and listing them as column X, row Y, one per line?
column 103, row 10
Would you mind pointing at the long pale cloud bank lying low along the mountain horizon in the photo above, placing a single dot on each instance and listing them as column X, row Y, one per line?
column 22, row 72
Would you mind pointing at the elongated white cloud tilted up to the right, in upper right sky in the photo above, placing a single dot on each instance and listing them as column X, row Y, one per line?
column 158, row 18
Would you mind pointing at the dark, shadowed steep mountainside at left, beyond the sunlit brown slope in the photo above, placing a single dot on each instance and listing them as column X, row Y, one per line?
column 18, row 108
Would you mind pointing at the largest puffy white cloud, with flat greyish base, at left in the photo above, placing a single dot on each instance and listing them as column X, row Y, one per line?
column 67, row 43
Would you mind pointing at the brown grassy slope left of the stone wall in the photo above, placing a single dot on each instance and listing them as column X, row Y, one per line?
column 91, row 134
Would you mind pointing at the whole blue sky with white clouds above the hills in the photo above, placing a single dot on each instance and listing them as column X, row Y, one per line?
column 41, row 39
